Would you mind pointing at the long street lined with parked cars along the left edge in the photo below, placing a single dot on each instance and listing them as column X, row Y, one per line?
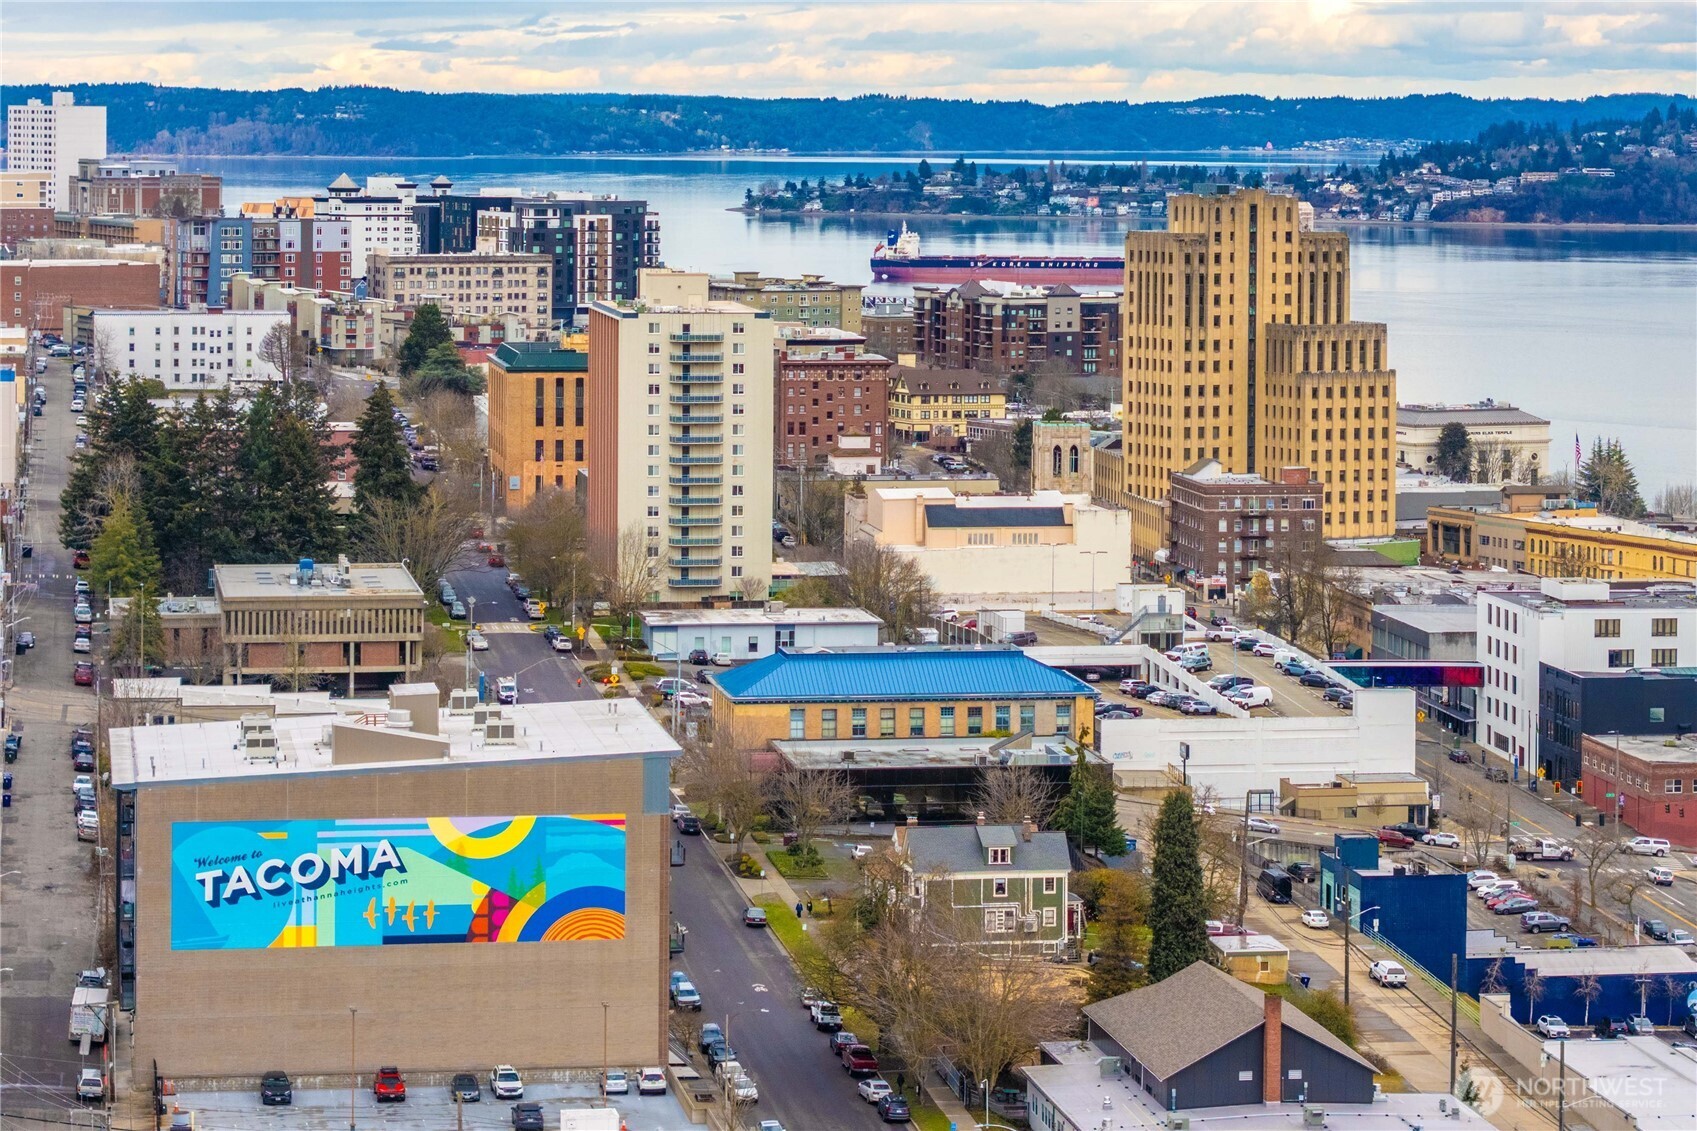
column 48, row 886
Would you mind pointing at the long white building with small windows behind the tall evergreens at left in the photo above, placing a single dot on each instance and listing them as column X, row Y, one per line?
column 189, row 351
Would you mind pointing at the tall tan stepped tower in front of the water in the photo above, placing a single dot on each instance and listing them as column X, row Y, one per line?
column 1240, row 349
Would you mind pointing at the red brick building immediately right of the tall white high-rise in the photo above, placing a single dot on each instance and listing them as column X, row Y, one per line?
column 829, row 385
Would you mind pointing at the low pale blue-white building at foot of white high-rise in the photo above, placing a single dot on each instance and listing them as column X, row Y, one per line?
column 754, row 633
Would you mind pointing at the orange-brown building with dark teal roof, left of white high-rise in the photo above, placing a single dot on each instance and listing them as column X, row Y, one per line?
column 537, row 420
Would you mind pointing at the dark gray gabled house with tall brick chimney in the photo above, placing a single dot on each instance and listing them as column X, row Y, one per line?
column 1206, row 1040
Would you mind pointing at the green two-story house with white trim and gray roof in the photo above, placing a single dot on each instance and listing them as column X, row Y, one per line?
column 1011, row 879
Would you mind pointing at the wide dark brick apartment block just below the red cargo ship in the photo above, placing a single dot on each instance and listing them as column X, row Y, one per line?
column 1005, row 329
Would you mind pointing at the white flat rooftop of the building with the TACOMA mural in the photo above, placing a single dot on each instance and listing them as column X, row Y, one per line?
column 213, row 751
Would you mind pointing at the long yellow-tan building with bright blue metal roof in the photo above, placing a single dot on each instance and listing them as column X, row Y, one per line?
column 899, row 694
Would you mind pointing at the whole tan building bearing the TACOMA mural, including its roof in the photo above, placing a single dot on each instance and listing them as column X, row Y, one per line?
column 289, row 884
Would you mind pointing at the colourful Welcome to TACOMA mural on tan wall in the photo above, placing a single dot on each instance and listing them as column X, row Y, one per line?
column 374, row 882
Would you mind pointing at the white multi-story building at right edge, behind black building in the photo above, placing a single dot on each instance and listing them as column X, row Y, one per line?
column 1576, row 626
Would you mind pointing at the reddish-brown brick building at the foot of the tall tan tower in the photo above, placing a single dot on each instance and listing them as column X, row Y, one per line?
column 1224, row 527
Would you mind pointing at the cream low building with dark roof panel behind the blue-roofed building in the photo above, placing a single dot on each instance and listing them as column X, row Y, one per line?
column 1019, row 551
